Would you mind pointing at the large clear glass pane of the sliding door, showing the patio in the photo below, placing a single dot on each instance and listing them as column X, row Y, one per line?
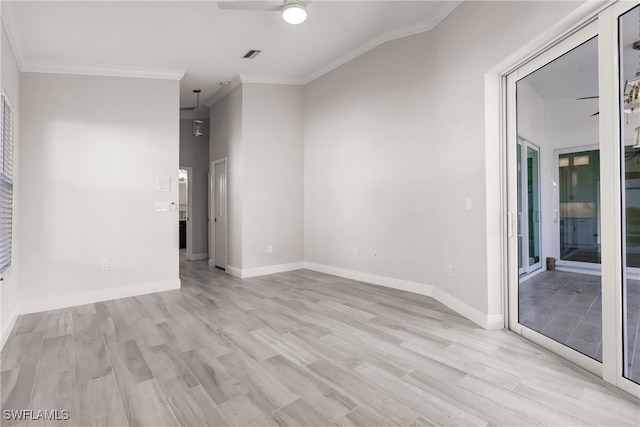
column 558, row 201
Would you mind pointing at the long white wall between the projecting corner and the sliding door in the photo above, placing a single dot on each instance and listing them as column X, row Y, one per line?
column 394, row 146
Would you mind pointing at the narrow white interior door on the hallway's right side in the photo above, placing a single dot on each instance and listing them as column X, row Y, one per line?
column 219, row 194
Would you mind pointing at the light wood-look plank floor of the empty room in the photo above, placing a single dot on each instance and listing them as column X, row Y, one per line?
column 299, row 348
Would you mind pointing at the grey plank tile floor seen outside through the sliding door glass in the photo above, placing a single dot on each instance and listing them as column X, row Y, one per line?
column 567, row 307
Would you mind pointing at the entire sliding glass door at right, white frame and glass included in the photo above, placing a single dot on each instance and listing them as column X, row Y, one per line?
column 574, row 195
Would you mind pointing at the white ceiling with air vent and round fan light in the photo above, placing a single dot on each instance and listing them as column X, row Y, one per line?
column 204, row 41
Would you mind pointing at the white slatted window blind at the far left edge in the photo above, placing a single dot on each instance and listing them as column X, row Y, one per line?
column 6, row 185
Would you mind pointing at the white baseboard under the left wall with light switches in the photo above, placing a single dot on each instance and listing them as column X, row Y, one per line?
column 45, row 304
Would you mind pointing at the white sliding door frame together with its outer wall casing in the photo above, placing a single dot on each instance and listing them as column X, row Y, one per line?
column 603, row 18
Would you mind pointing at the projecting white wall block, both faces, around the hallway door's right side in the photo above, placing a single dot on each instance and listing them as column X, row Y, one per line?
column 259, row 128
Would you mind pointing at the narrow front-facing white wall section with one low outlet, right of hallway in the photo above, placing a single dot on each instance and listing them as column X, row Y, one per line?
column 273, row 175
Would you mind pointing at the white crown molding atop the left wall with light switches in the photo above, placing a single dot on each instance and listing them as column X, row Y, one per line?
column 87, row 70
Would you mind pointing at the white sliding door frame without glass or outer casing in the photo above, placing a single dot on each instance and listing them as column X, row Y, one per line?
column 602, row 22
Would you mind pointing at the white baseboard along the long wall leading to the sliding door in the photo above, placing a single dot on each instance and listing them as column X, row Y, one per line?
column 490, row 322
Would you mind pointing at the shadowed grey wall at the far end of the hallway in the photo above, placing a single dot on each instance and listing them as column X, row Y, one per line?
column 194, row 152
